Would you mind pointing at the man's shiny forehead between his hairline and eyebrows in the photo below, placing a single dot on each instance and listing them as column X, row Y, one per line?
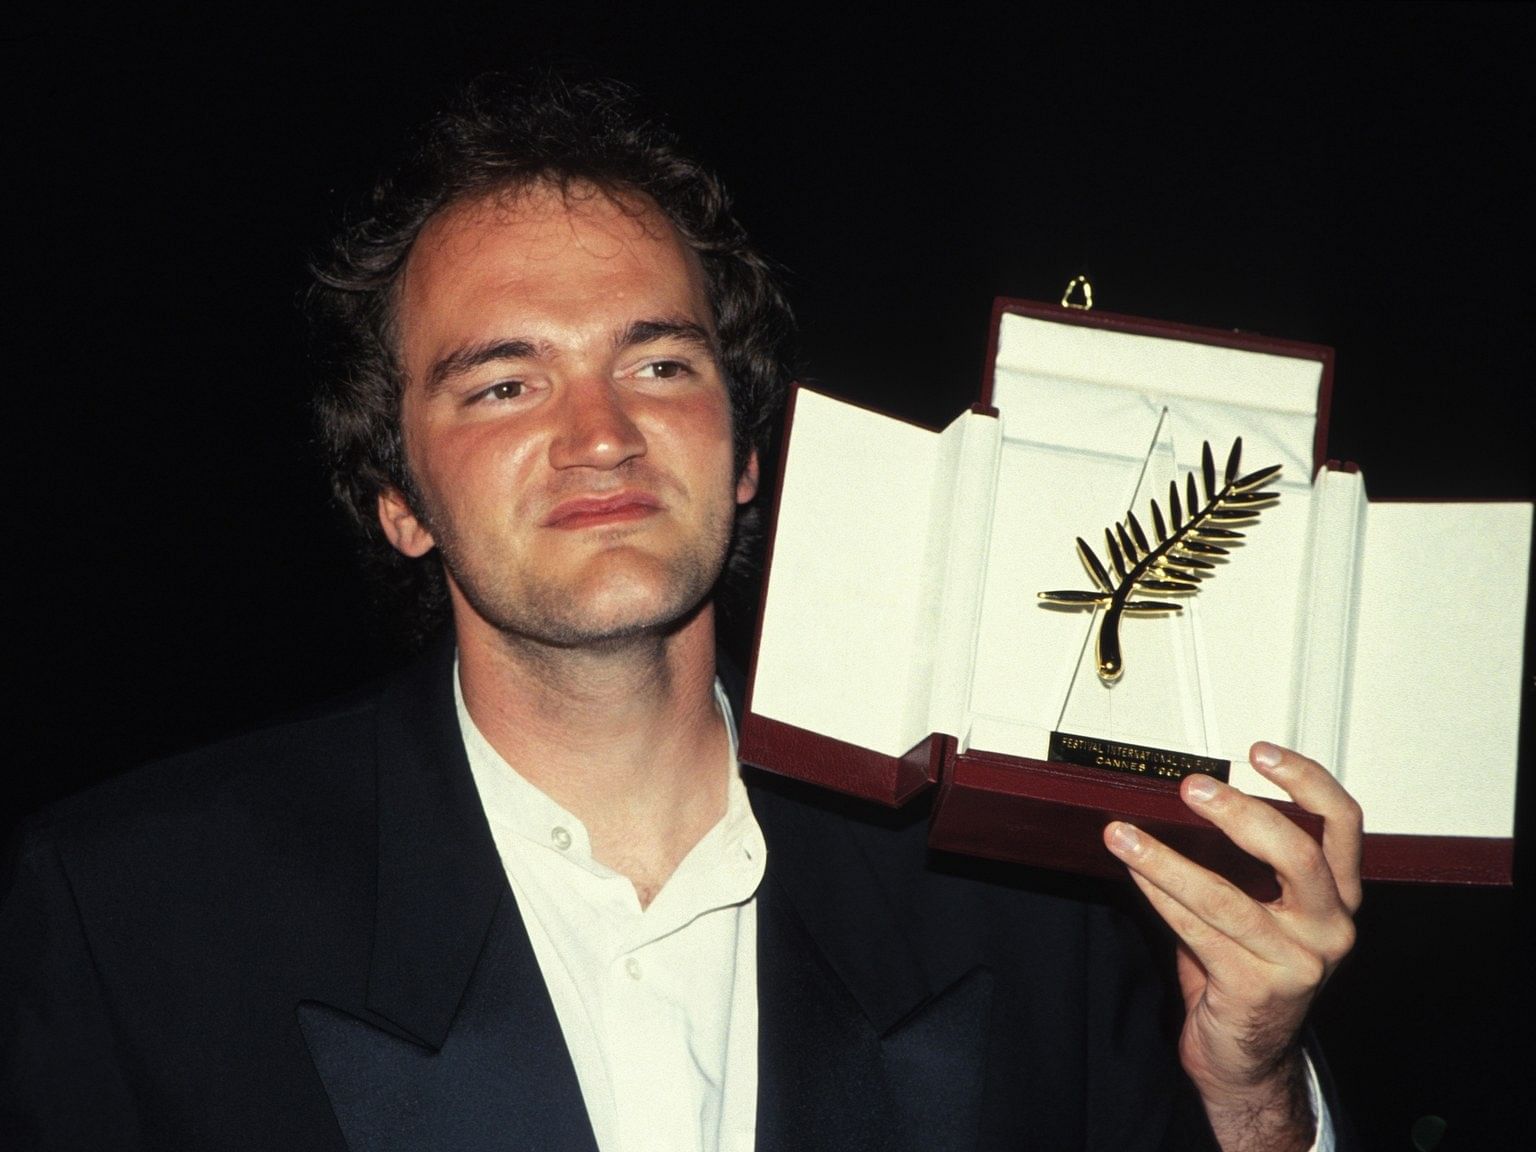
column 568, row 262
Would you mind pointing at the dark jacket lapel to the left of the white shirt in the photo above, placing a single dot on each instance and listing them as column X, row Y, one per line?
column 457, row 1045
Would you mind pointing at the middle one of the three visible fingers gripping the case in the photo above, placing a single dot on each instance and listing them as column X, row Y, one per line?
column 1263, row 832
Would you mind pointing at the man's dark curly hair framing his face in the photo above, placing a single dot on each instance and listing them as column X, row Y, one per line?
column 502, row 136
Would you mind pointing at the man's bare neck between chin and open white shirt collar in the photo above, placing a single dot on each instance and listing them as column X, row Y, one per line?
column 624, row 737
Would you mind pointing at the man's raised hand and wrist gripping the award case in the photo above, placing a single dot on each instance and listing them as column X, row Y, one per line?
column 1250, row 972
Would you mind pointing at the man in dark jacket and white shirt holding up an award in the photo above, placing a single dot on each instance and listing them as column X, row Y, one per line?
column 521, row 898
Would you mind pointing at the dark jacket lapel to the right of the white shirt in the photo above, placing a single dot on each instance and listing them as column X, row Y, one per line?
column 864, row 1041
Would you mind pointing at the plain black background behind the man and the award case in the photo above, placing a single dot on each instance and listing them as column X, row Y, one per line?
column 1359, row 177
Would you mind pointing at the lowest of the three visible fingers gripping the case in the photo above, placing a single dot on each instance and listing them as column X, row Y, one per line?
column 1211, row 907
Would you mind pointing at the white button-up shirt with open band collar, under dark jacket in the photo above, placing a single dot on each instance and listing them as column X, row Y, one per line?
column 658, row 1005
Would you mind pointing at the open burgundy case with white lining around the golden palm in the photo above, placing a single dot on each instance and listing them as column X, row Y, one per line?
column 902, row 646
